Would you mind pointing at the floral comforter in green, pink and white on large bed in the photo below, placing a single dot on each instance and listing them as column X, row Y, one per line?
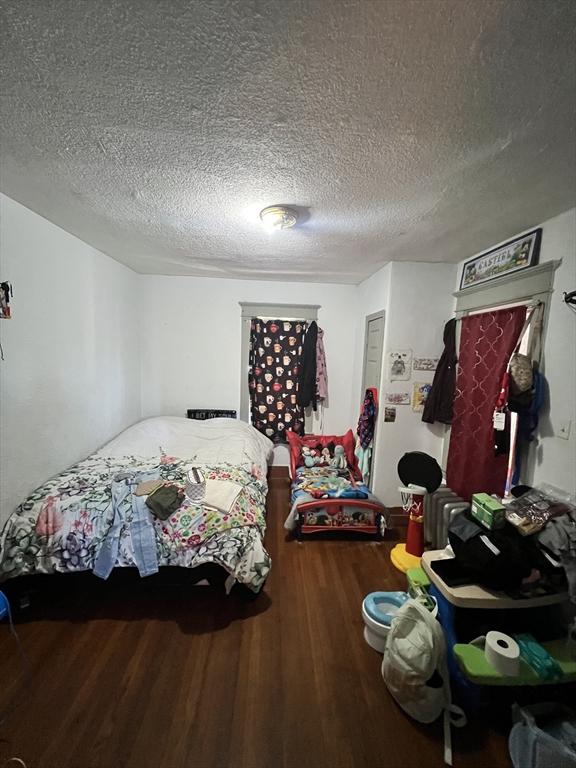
column 60, row 527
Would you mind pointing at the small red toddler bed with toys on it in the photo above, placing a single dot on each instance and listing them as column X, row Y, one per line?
column 327, row 492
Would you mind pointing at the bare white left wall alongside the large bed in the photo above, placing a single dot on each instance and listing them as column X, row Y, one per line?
column 70, row 378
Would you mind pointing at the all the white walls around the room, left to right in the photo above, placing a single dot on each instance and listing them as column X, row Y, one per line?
column 92, row 347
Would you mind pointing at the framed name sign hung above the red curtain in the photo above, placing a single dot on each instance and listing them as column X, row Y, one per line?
column 511, row 257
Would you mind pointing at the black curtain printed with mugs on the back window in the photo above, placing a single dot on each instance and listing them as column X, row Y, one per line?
column 275, row 353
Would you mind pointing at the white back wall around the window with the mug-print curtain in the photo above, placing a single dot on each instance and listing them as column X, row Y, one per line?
column 191, row 337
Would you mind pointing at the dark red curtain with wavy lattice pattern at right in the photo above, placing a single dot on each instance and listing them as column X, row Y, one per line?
column 486, row 344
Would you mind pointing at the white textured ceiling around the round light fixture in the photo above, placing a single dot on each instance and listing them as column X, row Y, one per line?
column 156, row 131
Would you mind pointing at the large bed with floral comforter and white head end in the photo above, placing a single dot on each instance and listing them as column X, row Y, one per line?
column 61, row 526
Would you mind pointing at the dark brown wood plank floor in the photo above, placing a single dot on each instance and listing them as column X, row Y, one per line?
column 156, row 675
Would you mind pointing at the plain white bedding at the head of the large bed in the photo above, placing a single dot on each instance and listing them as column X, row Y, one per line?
column 214, row 441
